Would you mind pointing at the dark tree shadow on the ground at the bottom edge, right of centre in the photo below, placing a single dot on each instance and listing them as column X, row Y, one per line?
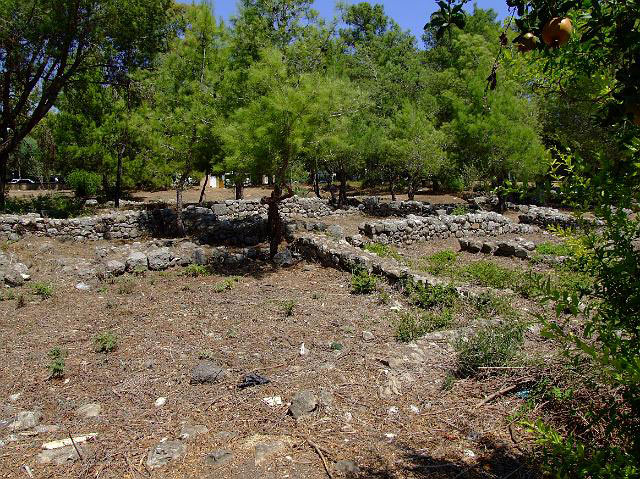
column 499, row 461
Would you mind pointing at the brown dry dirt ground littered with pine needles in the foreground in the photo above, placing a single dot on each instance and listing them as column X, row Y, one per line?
column 387, row 408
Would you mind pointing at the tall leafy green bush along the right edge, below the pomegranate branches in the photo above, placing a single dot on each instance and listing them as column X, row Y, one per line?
column 609, row 340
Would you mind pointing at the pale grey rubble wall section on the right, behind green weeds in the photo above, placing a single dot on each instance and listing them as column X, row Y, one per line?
column 420, row 228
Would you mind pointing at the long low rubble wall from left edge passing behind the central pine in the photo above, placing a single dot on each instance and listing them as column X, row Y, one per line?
column 232, row 222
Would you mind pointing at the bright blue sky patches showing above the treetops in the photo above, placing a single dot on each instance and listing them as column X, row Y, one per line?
column 410, row 14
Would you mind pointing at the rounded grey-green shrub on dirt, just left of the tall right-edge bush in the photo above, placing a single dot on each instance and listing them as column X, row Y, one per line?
column 489, row 346
